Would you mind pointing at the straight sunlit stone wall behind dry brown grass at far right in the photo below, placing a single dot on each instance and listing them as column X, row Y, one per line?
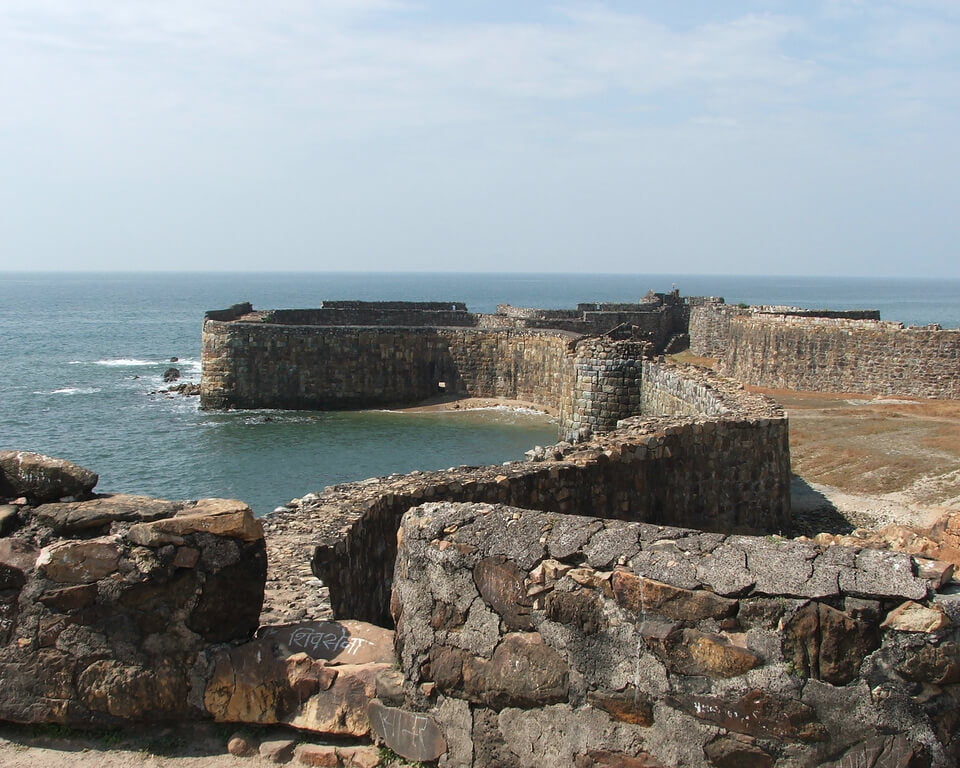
column 843, row 356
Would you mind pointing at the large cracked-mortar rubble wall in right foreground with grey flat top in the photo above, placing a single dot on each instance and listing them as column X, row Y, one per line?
column 529, row 638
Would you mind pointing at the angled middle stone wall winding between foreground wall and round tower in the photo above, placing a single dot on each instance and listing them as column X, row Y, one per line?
column 728, row 472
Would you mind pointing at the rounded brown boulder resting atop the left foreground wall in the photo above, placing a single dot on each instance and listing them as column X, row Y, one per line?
column 41, row 478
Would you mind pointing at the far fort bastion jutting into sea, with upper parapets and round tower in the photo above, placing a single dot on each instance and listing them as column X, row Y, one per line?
column 582, row 365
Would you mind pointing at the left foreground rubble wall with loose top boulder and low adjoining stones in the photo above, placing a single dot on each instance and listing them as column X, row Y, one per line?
column 118, row 609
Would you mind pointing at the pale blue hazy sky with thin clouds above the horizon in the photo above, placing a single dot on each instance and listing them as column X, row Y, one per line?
column 700, row 137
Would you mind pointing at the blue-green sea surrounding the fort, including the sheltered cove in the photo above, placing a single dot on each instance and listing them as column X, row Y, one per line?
column 81, row 352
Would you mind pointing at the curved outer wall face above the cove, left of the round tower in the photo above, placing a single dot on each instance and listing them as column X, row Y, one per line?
column 265, row 365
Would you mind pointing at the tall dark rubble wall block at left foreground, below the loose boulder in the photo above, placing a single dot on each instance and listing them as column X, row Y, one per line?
column 109, row 606
